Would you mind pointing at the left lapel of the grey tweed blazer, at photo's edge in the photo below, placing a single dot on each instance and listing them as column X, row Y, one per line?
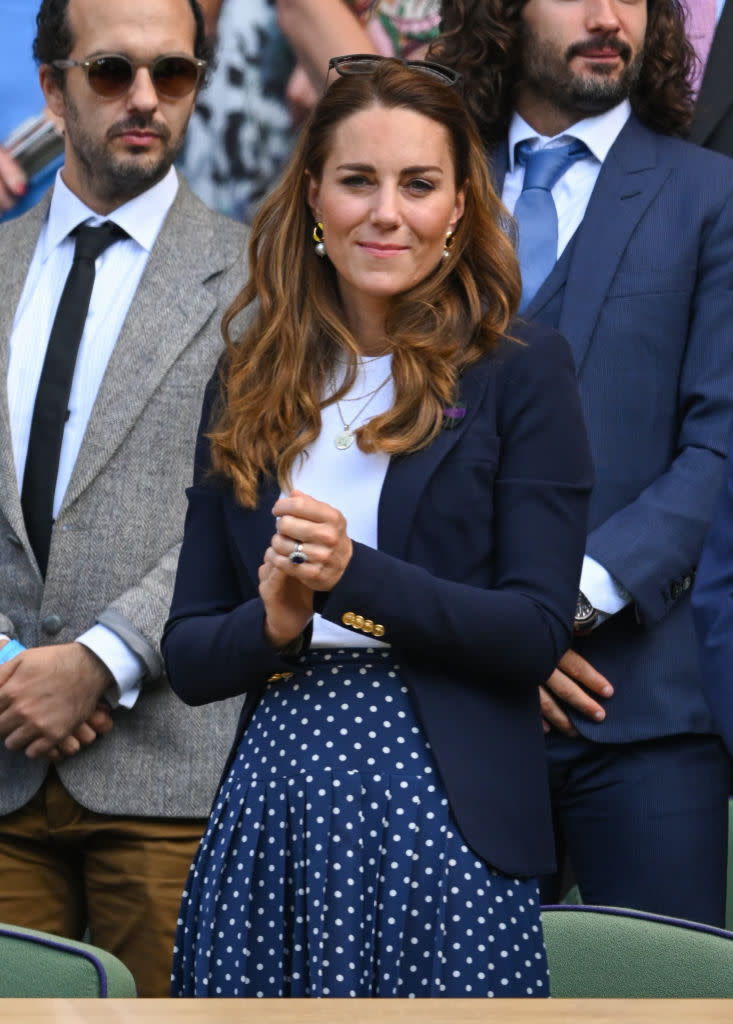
column 18, row 244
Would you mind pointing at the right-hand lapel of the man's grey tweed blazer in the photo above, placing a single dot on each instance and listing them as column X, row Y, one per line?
column 170, row 308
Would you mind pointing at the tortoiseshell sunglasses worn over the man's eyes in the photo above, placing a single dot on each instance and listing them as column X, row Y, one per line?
column 111, row 75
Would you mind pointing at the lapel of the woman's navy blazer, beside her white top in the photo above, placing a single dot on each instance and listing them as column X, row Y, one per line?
column 408, row 477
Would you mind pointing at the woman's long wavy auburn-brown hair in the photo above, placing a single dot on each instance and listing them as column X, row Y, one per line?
column 276, row 371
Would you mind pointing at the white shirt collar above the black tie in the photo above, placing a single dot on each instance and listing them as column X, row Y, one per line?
column 142, row 218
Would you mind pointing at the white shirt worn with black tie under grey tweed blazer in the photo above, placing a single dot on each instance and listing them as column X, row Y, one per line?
column 118, row 274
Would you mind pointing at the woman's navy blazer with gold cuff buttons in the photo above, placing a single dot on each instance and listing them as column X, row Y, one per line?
column 481, row 542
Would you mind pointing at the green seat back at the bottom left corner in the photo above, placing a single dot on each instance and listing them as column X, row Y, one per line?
column 39, row 965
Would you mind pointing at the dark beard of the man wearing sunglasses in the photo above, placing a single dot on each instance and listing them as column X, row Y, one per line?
column 117, row 179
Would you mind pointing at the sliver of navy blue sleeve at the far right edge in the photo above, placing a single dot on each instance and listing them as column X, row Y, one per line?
column 713, row 608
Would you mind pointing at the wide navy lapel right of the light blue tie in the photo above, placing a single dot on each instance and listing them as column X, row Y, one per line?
column 629, row 182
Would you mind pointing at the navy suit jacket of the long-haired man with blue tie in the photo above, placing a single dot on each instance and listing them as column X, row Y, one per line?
column 645, row 298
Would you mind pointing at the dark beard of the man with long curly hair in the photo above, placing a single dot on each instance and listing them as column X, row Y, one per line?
column 549, row 74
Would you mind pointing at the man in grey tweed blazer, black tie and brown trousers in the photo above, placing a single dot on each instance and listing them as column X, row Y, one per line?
column 102, row 805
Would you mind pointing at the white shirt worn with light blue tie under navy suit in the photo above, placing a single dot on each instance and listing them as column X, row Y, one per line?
column 572, row 195
